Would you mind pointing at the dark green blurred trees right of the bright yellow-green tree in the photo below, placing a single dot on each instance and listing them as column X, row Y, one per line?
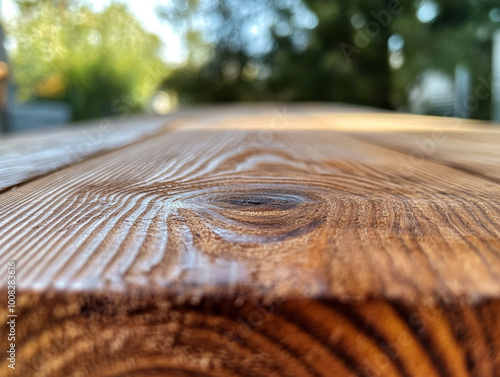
column 369, row 52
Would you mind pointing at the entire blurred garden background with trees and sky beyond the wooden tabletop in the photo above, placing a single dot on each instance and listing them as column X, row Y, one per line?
column 70, row 60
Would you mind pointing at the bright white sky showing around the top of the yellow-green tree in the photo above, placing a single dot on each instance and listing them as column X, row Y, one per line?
column 144, row 10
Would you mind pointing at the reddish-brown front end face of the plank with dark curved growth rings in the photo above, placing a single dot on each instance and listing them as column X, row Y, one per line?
column 157, row 335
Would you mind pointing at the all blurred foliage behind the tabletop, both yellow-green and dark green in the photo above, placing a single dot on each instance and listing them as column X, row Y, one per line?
column 255, row 50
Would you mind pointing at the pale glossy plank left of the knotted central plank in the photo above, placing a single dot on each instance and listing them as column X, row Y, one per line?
column 26, row 156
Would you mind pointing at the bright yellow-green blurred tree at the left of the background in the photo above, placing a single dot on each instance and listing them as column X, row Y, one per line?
column 100, row 62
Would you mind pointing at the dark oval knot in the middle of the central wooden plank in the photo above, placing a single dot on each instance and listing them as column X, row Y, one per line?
column 253, row 215
